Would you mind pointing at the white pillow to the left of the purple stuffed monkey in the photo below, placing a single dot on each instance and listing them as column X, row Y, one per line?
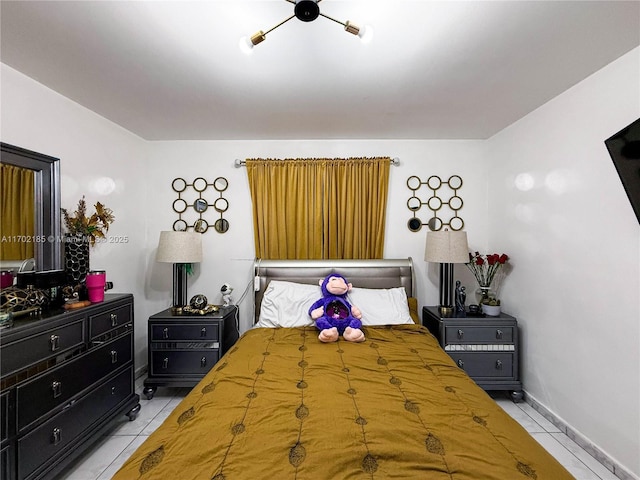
column 286, row 304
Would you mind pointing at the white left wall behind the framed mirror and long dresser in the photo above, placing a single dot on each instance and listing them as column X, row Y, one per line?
column 98, row 159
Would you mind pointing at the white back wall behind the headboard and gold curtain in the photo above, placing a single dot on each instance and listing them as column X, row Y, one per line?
column 229, row 257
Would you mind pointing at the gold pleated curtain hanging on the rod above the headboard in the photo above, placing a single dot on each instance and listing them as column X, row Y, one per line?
column 319, row 208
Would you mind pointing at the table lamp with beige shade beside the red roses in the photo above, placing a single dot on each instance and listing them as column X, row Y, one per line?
column 446, row 247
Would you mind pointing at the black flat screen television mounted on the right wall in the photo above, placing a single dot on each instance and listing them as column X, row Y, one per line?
column 624, row 148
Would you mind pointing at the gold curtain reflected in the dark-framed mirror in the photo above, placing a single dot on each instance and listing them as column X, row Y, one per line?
column 17, row 218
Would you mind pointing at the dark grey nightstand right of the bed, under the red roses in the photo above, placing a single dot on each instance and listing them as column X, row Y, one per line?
column 486, row 348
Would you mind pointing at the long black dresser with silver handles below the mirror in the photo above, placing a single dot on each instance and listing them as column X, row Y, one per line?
column 65, row 376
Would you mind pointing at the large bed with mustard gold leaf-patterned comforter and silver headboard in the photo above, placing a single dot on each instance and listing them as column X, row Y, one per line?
column 283, row 405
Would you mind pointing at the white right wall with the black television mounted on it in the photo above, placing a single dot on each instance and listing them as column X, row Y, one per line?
column 557, row 206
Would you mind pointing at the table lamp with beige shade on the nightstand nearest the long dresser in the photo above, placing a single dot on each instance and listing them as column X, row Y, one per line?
column 181, row 249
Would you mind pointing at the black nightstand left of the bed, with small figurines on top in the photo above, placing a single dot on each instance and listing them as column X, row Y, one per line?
column 183, row 348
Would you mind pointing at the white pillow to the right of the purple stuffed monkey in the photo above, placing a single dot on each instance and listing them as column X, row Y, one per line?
column 381, row 306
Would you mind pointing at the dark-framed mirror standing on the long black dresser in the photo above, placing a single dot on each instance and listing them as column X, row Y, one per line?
column 37, row 190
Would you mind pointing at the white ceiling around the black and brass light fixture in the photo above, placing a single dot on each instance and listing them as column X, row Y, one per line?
column 172, row 70
